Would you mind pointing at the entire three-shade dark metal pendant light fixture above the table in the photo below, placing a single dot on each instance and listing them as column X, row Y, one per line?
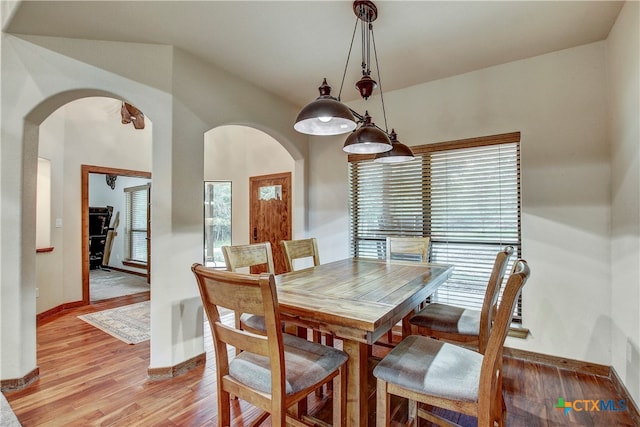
column 329, row 116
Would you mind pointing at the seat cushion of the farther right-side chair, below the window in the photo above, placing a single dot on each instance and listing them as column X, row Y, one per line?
column 448, row 318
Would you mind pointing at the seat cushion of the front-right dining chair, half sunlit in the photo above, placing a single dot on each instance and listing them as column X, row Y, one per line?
column 432, row 367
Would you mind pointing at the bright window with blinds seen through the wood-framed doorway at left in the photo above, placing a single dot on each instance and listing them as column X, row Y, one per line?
column 136, row 208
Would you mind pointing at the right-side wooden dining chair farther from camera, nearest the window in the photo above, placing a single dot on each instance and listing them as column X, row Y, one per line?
column 461, row 325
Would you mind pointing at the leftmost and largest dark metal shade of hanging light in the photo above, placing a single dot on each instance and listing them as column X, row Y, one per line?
column 325, row 116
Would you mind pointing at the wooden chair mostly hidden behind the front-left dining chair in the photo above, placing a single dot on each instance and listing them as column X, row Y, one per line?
column 242, row 256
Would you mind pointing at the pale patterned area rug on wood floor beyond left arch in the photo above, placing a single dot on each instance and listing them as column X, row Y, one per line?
column 130, row 323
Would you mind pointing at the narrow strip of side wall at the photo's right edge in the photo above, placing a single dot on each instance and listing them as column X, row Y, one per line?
column 623, row 48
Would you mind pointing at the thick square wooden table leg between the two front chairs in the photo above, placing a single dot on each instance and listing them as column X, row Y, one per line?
column 357, row 378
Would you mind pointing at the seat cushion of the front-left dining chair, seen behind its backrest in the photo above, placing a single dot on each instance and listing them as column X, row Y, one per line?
column 306, row 364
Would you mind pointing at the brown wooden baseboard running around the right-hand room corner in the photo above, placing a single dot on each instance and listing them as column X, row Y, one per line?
column 579, row 366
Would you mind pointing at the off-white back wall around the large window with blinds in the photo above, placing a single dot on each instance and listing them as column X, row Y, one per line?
column 558, row 102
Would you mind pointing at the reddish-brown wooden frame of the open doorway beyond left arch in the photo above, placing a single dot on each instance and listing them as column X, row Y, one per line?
column 84, row 178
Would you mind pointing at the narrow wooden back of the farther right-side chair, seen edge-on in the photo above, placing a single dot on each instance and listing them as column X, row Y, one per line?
column 489, row 304
